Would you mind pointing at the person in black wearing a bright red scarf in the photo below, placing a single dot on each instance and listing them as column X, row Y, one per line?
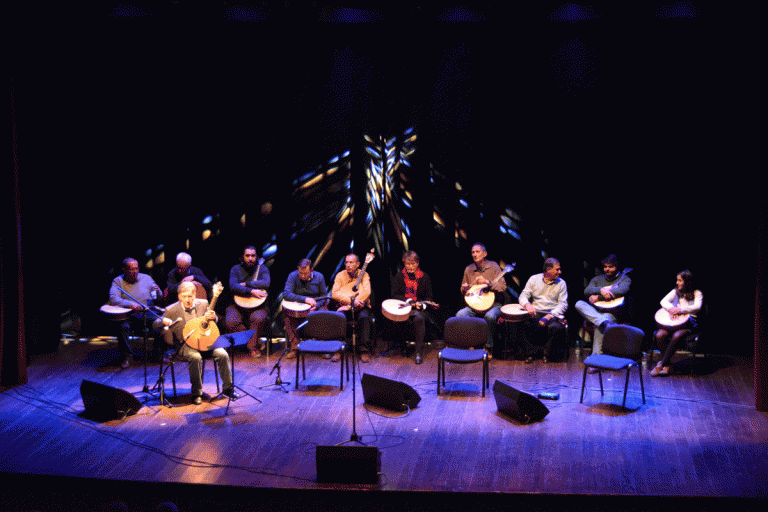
column 413, row 285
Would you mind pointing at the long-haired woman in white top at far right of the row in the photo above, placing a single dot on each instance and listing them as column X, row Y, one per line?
column 683, row 300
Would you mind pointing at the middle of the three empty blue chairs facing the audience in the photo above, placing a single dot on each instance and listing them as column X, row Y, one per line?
column 461, row 334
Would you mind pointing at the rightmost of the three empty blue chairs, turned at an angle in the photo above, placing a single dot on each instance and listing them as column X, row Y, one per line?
column 622, row 350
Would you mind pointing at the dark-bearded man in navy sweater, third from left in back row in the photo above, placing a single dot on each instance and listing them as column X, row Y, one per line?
column 248, row 280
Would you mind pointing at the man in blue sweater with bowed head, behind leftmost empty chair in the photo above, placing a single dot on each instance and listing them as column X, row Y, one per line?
column 306, row 286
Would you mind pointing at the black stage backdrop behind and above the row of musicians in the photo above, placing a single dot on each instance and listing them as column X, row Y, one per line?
column 624, row 134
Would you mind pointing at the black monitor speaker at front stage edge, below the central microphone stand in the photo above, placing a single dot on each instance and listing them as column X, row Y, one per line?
column 348, row 464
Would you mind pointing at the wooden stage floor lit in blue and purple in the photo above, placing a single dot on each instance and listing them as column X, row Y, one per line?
column 697, row 436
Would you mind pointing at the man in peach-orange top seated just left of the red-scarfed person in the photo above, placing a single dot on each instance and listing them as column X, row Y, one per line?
column 343, row 293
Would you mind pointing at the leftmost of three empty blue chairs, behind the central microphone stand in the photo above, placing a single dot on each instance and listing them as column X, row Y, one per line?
column 324, row 332
